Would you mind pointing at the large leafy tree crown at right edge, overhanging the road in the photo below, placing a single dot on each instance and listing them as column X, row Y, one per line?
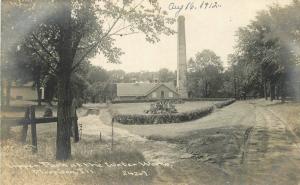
column 267, row 50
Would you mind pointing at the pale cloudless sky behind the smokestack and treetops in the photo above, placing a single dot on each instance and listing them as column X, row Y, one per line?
column 212, row 29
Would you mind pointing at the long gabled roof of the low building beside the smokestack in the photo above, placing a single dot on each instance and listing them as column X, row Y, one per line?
column 140, row 89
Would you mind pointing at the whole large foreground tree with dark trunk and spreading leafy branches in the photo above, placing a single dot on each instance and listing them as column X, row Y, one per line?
column 71, row 31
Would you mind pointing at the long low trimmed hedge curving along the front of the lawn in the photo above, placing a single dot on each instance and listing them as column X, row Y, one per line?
column 162, row 118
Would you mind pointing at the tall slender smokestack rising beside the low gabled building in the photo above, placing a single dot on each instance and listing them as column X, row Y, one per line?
column 181, row 59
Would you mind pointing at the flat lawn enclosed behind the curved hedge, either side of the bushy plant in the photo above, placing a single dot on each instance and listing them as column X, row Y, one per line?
column 138, row 108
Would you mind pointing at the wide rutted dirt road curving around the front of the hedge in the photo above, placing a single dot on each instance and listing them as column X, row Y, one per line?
column 248, row 142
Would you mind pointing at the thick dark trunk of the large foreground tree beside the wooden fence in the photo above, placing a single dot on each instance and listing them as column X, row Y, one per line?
column 64, row 119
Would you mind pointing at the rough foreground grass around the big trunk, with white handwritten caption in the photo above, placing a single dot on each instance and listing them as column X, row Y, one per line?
column 92, row 162
